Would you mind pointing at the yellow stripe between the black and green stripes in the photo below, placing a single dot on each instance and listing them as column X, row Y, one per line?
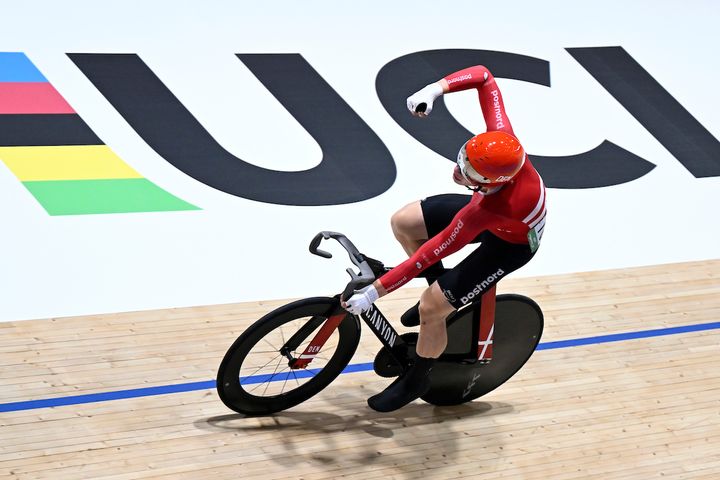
column 82, row 162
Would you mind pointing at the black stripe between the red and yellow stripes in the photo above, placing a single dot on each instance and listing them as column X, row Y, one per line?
column 45, row 130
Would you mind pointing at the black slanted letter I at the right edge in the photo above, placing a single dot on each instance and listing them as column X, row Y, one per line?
column 668, row 121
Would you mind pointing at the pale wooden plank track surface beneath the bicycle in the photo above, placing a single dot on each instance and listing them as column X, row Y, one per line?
column 631, row 409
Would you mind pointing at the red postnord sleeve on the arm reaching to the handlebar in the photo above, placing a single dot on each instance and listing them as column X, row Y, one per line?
column 466, row 225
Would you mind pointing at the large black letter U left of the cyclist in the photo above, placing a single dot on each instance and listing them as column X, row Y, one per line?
column 356, row 165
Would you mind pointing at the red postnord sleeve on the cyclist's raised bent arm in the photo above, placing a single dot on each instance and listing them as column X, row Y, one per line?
column 480, row 78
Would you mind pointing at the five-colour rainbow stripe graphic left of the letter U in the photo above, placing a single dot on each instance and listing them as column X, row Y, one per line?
column 58, row 158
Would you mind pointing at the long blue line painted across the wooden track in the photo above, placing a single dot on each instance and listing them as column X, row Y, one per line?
column 358, row 367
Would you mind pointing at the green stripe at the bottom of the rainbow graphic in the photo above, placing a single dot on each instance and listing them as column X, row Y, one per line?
column 80, row 197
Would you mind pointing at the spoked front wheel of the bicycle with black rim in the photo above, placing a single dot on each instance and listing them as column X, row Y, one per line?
column 254, row 378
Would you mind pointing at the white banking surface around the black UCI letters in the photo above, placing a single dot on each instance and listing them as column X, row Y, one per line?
column 237, row 250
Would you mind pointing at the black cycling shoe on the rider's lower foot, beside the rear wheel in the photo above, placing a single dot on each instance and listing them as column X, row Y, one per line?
column 410, row 386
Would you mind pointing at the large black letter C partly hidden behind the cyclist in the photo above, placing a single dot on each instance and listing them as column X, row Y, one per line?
column 607, row 164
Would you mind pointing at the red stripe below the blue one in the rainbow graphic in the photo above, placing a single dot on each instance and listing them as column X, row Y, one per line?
column 31, row 97
